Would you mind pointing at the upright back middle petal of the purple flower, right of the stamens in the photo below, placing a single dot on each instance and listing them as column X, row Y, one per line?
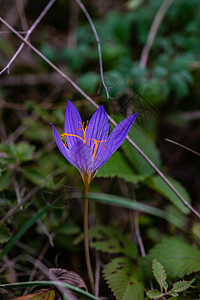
column 98, row 126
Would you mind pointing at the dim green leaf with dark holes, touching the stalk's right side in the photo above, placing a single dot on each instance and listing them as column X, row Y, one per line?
column 112, row 240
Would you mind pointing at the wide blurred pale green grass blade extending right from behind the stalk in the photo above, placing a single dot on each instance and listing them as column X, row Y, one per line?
column 134, row 205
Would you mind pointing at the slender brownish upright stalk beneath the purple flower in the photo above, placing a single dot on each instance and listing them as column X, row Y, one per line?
column 86, row 237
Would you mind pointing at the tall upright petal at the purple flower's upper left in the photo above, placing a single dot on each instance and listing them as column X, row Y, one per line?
column 72, row 122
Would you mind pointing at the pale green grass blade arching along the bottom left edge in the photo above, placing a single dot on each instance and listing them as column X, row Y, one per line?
column 55, row 283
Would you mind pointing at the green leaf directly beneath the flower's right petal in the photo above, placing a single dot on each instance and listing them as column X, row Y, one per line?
column 118, row 166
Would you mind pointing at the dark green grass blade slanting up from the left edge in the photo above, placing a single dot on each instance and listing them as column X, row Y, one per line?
column 26, row 226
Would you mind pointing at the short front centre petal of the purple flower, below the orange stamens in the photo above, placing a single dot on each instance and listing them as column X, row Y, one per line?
column 81, row 157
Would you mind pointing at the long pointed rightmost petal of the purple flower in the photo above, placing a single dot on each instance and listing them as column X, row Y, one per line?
column 115, row 139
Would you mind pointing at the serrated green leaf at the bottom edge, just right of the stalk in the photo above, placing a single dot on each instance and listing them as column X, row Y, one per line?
column 124, row 279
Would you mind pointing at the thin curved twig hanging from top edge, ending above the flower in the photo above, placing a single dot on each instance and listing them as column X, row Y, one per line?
column 98, row 43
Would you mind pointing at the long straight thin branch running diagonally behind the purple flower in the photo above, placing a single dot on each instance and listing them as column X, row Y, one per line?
column 110, row 119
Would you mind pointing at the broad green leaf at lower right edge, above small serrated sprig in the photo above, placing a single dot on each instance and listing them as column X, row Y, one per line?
column 177, row 257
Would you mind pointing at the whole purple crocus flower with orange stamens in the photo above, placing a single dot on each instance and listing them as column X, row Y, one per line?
column 87, row 146
